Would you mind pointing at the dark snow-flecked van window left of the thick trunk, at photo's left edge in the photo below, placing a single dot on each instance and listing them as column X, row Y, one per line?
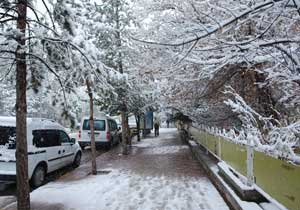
column 8, row 136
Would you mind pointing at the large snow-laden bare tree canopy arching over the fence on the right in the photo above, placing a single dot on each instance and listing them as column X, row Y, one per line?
column 251, row 45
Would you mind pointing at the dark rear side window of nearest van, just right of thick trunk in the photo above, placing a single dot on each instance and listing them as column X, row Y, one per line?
column 46, row 138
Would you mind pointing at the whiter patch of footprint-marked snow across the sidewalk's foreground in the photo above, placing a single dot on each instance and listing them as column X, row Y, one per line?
column 125, row 191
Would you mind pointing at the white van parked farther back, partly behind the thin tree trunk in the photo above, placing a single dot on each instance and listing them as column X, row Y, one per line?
column 106, row 132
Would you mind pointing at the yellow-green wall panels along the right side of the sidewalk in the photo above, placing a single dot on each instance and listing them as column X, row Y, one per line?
column 278, row 178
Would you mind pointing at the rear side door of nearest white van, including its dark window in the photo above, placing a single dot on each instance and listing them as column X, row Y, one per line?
column 49, row 140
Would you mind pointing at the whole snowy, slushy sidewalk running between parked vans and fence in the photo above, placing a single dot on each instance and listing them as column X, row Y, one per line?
column 159, row 174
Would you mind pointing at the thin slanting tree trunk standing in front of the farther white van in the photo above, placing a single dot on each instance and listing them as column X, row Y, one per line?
column 93, row 144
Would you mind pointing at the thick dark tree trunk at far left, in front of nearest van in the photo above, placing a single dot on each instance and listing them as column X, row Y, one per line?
column 23, row 190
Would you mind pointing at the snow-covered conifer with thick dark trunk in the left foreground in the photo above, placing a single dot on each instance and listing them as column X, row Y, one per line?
column 53, row 56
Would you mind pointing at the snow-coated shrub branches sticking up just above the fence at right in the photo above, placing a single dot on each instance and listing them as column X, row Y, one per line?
column 265, row 135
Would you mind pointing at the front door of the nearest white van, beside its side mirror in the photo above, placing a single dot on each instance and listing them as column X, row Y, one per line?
column 66, row 150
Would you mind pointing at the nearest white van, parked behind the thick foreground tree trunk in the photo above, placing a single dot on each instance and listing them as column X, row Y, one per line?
column 49, row 149
